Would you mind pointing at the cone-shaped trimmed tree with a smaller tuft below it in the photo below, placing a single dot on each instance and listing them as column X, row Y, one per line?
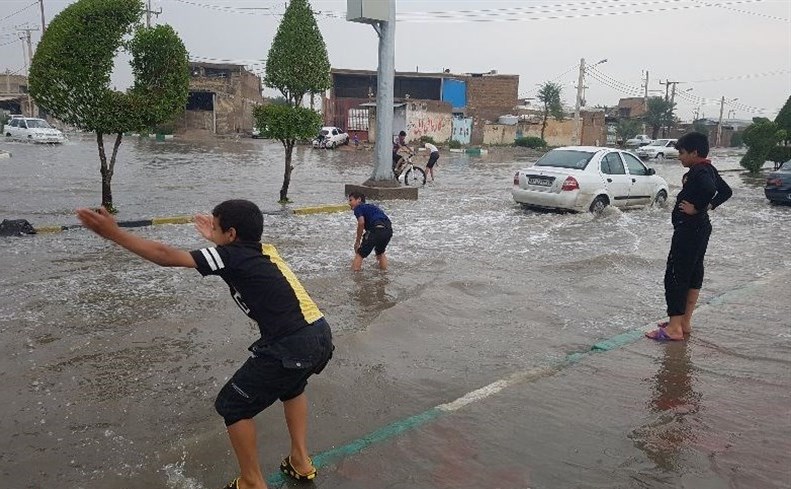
column 297, row 64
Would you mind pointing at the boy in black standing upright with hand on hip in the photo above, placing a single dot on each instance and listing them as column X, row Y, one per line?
column 703, row 190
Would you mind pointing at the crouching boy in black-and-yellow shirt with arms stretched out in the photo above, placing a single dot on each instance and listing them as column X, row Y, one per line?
column 295, row 341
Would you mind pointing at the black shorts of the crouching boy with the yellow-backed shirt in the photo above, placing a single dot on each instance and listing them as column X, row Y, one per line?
column 279, row 370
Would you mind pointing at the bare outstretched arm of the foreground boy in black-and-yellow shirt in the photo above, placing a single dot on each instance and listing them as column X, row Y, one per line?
column 103, row 224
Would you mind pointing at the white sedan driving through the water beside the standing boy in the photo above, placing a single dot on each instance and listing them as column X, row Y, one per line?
column 588, row 178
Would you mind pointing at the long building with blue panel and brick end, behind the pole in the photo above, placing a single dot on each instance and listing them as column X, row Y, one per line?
column 440, row 105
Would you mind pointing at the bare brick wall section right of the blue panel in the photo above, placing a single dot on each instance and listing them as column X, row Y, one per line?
column 489, row 97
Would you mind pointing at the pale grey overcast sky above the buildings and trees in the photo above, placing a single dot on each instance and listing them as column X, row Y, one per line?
column 739, row 49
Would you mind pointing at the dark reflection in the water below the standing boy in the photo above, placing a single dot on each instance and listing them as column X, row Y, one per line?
column 672, row 403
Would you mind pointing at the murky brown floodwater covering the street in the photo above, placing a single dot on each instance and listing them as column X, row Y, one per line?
column 110, row 364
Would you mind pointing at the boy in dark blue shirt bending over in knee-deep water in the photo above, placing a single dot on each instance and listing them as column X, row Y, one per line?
column 374, row 231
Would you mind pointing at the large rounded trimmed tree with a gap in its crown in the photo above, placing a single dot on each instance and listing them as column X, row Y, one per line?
column 70, row 74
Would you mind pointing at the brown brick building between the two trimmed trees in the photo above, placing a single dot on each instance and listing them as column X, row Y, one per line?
column 221, row 99
